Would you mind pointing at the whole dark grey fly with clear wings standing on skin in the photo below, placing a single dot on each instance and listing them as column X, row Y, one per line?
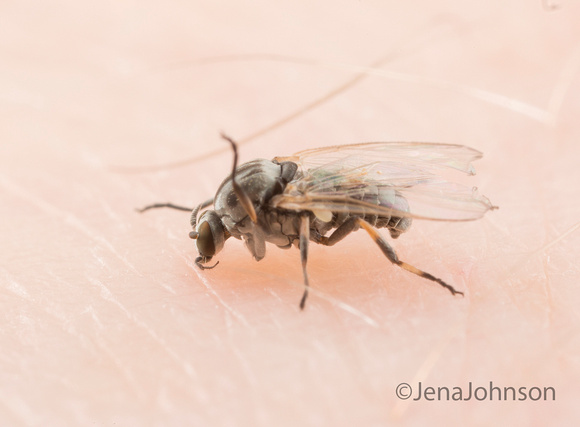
column 294, row 200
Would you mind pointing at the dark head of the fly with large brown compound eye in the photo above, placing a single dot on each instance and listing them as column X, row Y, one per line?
column 210, row 235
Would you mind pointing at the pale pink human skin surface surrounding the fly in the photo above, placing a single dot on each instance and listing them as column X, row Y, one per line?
column 105, row 320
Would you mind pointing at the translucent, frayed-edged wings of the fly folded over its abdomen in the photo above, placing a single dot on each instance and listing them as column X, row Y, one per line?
column 340, row 179
